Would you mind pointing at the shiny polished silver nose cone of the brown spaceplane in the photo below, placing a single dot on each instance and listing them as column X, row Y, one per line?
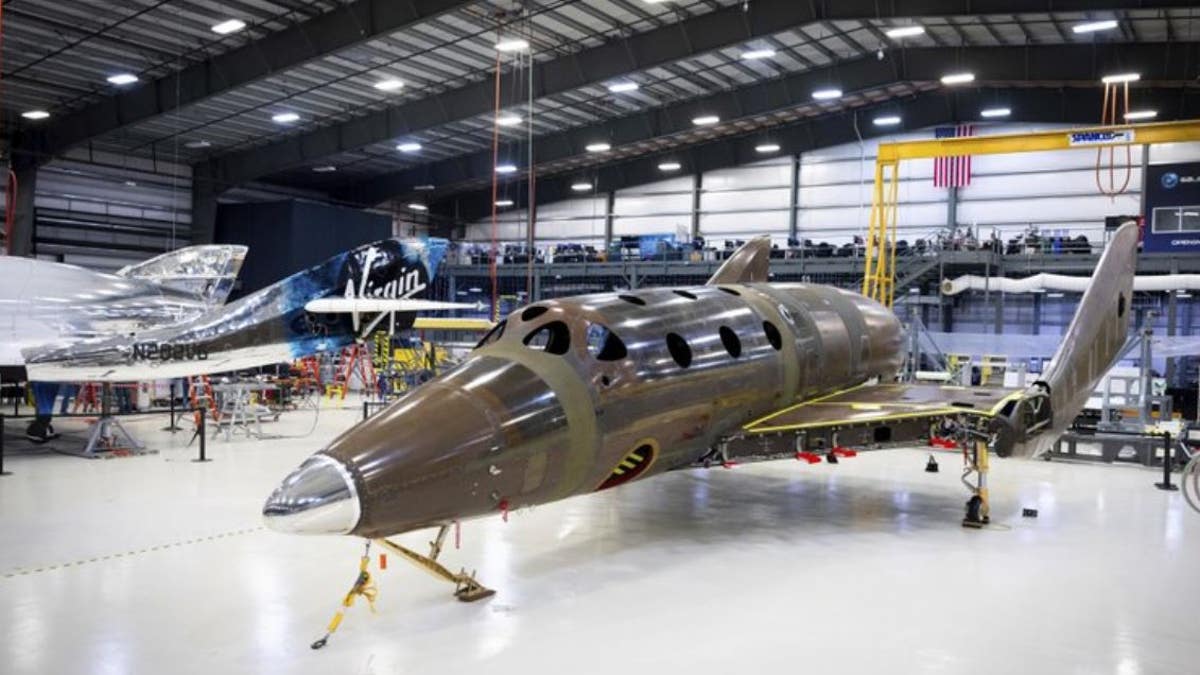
column 317, row 499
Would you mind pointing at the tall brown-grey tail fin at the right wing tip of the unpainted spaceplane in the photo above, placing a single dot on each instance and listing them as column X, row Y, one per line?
column 1091, row 345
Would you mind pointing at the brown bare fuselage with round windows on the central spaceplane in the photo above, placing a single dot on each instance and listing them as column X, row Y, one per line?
column 549, row 408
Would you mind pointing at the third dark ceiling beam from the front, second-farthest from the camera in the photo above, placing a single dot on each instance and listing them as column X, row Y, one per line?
column 1053, row 64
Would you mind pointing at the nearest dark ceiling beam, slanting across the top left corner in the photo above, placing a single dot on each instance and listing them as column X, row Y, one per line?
column 333, row 32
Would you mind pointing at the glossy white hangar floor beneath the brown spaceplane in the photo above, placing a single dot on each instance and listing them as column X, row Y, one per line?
column 158, row 565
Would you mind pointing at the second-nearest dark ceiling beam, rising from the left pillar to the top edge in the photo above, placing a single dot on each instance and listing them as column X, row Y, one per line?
column 657, row 47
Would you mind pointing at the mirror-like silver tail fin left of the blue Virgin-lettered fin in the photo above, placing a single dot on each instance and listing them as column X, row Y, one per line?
column 206, row 272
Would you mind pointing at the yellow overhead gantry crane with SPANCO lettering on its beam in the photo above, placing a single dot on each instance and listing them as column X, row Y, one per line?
column 879, row 279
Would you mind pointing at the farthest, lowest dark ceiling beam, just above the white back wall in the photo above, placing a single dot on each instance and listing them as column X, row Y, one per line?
column 1035, row 105
